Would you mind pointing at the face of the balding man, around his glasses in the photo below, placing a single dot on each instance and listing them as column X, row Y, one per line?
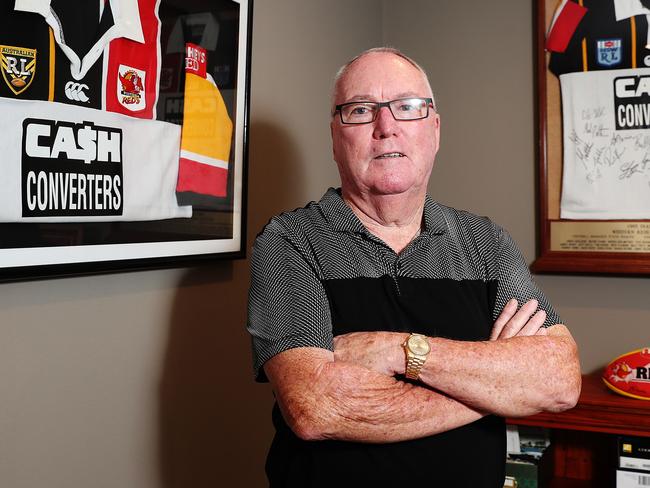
column 387, row 156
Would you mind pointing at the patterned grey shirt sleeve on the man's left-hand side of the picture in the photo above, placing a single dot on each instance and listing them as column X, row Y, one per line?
column 287, row 304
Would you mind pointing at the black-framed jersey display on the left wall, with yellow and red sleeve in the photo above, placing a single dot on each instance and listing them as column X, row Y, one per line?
column 123, row 133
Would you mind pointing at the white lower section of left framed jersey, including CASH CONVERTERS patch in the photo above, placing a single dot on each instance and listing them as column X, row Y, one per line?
column 63, row 163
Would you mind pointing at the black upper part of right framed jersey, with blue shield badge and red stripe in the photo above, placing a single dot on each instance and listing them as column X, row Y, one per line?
column 590, row 35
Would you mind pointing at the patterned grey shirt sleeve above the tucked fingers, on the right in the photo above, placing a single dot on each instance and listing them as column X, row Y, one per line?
column 515, row 280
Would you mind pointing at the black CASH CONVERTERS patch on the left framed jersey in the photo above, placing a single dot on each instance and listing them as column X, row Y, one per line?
column 71, row 169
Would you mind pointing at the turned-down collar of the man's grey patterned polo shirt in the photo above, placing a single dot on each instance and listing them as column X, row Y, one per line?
column 342, row 218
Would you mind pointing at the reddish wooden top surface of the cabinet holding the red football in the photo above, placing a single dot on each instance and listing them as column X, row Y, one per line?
column 598, row 410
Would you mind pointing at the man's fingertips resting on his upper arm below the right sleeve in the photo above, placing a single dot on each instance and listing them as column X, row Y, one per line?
column 523, row 322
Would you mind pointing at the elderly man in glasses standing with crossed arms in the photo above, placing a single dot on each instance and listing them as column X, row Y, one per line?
column 389, row 325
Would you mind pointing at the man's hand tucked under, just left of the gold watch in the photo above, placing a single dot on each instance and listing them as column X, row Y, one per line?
column 381, row 352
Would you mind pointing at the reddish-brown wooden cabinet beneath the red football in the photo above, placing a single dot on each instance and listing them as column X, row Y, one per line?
column 584, row 439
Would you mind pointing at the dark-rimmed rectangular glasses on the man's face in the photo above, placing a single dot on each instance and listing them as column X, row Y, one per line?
column 366, row 112
